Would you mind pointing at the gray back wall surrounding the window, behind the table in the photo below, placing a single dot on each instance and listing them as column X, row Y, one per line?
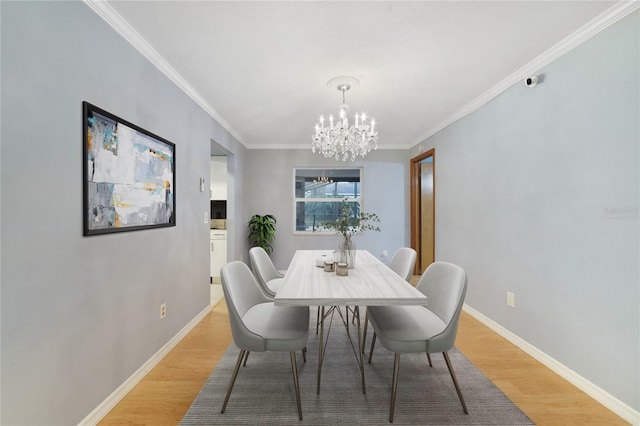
column 385, row 191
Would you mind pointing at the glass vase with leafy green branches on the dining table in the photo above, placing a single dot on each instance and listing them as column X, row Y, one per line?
column 351, row 222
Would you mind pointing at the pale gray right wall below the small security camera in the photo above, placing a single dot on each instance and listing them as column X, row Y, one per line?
column 537, row 193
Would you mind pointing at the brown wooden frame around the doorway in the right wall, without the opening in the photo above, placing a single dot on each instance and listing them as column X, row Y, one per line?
column 416, row 214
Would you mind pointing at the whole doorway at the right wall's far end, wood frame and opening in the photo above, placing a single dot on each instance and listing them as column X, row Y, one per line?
column 422, row 190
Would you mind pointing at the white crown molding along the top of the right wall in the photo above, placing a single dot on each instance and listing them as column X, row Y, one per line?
column 593, row 27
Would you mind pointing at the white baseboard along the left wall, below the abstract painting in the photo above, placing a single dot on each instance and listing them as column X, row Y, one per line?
column 103, row 409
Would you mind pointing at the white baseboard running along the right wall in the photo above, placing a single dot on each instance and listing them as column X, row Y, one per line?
column 597, row 393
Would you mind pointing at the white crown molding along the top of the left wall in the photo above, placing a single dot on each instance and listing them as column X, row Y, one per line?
column 122, row 27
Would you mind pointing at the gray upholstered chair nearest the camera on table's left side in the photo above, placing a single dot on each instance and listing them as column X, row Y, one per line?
column 258, row 325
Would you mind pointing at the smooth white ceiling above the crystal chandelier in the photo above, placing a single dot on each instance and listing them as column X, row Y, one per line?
column 261, row 68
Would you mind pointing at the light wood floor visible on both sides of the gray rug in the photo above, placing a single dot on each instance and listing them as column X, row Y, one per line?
column 165, row 394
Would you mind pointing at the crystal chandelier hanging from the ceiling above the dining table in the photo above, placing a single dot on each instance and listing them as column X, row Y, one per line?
column 339, row 140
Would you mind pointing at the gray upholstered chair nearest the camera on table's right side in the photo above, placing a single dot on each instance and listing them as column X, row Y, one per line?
column 429, row 328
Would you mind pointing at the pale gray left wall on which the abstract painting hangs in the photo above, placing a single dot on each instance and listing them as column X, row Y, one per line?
column 80, row 314
